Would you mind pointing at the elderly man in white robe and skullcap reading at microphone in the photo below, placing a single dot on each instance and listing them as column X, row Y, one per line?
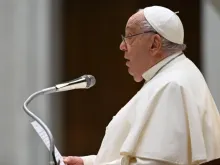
column 173, row 118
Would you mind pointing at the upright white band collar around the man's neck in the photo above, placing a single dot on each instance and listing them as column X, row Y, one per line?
column 150, row 73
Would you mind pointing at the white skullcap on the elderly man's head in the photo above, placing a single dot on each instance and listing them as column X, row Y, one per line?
column 166, row 23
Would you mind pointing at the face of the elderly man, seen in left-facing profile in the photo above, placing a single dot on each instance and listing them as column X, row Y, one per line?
column 137, row 49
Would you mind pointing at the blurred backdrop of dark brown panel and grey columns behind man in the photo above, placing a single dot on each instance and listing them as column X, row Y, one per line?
column 46, row 42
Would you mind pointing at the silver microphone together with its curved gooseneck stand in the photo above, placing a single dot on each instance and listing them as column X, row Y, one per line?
column 83, row 82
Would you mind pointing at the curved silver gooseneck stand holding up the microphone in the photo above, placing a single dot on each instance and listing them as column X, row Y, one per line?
column 52, row 158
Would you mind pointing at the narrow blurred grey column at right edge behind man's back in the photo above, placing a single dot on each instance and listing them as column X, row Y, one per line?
column 210, row 46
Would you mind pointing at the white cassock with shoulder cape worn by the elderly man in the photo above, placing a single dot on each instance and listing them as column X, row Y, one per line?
column 171, row 120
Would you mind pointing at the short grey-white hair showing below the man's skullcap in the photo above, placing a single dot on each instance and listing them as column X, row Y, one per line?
column 167, row 46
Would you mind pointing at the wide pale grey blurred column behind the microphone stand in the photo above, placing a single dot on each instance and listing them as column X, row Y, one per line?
column 25, row 67
